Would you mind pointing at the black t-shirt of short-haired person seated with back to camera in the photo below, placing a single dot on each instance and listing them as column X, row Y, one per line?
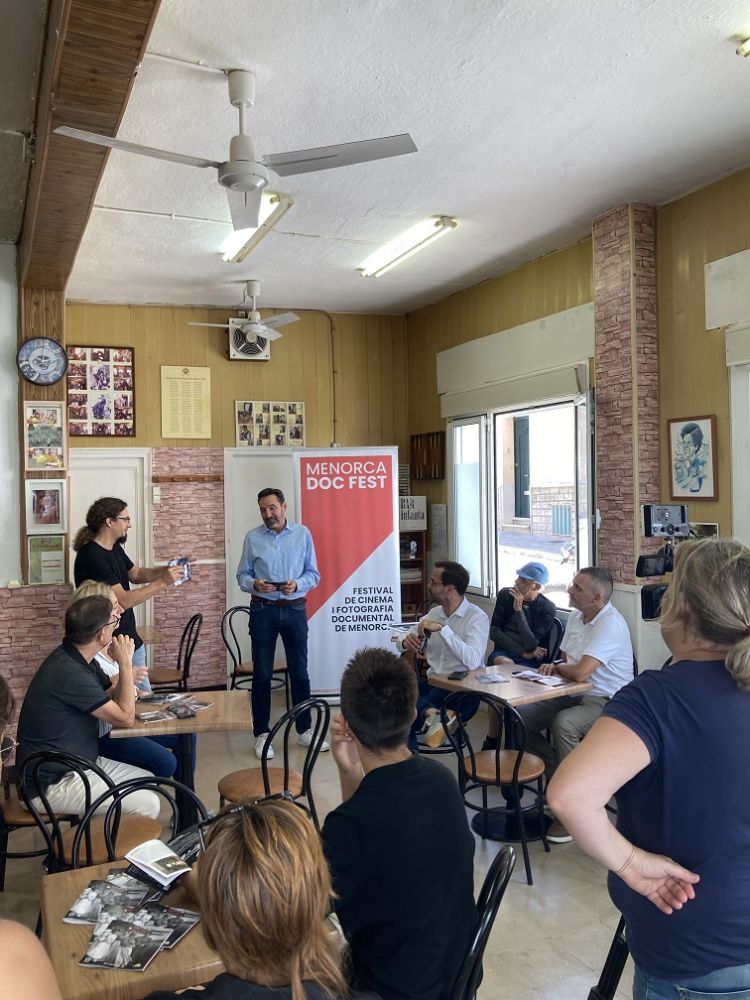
column 402, row 860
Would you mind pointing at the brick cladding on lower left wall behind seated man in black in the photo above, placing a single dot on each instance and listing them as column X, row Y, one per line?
column 31, row 625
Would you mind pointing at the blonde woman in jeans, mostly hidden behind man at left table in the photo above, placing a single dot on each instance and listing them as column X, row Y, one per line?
column 152, row 753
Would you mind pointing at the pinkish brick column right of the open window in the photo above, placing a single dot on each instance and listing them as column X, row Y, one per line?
column 627, row 382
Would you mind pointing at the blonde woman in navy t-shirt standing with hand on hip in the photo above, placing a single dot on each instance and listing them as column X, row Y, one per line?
column 673, row 748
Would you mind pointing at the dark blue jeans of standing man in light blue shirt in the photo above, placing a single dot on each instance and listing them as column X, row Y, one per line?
column 267, row 623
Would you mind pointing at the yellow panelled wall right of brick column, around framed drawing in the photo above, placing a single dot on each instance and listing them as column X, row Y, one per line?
column 707, row 225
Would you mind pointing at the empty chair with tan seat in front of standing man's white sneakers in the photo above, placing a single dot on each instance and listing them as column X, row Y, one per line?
column 255, row 783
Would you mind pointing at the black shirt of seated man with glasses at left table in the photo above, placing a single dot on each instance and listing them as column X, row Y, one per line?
column 56, row 712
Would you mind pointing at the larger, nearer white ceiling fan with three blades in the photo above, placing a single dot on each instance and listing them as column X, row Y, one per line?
column 244, row 175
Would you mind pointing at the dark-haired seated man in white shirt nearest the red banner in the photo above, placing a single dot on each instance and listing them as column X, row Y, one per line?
column 456, row 633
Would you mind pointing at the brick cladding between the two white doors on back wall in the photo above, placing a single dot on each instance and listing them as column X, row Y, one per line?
column 189, row 521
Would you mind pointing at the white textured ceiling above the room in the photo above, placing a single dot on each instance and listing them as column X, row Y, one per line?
column 530, row 118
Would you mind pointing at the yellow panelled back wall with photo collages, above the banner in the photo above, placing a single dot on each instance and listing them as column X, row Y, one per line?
column 369, row 360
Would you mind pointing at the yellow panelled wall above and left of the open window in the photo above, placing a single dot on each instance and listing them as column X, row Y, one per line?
column 549, row 285
